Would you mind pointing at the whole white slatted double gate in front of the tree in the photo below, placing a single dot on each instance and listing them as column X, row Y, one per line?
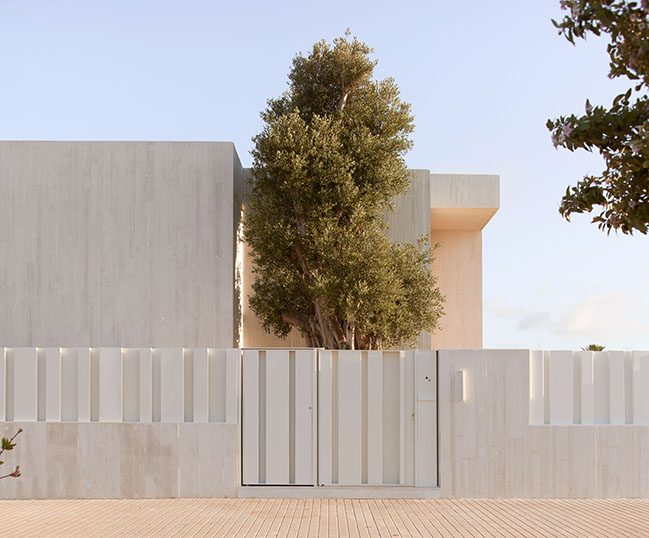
column 348, row 418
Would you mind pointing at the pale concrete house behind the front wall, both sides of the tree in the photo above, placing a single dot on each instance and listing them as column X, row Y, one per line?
column 134, row 244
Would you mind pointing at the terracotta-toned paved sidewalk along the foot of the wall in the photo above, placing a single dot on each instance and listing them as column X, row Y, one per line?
column 320, row 518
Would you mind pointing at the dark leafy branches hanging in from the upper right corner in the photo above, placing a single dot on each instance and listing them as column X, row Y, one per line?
column 620, row 132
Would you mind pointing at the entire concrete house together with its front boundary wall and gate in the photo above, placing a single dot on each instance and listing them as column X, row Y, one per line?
column 120, row 337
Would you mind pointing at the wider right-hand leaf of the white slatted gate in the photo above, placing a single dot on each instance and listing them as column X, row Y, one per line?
column 377, row 418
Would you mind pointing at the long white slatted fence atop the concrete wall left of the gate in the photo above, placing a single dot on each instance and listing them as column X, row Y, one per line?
column 119, row 384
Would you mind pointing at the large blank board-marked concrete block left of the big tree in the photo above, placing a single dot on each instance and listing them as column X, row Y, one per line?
column 117, row 244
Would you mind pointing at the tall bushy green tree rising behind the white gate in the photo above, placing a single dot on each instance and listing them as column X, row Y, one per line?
column 326, row 167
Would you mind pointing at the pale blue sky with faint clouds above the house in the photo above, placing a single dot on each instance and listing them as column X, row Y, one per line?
column 482, row 79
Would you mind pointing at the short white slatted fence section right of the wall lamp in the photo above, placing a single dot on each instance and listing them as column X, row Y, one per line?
column 585, row 387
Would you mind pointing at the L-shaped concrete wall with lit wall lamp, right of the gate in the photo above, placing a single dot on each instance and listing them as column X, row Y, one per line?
column 488, row 449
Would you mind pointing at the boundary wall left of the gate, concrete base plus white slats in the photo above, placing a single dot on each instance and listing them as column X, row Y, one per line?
column 121, row 423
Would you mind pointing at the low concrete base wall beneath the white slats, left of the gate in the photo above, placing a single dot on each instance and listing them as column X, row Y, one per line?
column 121, row 460
